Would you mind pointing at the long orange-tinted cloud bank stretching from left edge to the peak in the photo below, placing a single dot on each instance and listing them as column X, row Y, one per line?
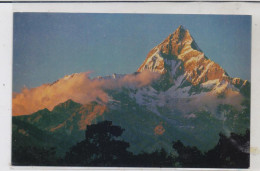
column 77, row 87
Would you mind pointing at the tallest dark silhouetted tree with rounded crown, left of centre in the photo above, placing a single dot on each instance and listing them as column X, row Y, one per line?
column 102, row 147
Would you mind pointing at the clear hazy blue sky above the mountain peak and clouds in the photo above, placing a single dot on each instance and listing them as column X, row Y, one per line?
column 48, row 46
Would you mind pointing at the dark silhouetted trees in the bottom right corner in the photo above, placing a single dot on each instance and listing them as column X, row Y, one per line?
column 230, row 152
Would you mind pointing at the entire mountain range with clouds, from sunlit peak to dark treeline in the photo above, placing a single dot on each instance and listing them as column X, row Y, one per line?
column 193, row 99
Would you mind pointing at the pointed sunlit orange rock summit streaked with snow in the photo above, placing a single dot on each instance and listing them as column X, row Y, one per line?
column 179, row 55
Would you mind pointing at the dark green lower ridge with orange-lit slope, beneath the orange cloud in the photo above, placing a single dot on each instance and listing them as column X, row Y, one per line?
column 61, row 128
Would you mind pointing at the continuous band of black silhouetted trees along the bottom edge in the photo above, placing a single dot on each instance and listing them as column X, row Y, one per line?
column 103, row 146
